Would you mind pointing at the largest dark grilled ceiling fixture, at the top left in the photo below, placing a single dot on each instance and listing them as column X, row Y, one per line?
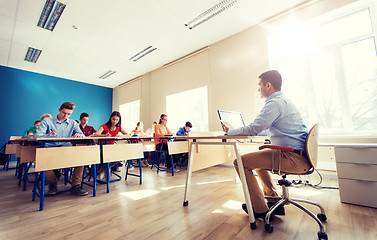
column 50, row 14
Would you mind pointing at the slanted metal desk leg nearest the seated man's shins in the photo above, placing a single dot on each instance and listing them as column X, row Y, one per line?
column 244, row 187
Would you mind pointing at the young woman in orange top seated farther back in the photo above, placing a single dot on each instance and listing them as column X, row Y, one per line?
column 160, row 130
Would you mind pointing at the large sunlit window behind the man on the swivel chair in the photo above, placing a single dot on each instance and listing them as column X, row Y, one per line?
column 329, row 69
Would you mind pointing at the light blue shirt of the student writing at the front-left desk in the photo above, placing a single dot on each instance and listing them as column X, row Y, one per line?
column 65, row 129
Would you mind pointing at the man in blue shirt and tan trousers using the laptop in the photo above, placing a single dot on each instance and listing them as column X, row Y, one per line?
column 285, row 127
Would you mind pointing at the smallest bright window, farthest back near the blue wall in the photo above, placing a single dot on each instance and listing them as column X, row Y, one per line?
column 130, row 113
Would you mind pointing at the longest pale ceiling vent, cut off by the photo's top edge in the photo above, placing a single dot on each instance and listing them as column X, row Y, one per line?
column 210, row 13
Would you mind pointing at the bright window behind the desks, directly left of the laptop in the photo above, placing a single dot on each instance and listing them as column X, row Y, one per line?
column 189, row 106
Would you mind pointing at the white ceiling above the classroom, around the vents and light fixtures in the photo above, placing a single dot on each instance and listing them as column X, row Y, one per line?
column 94, row 36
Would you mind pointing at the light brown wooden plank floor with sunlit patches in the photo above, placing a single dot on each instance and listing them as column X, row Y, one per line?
column 154, row 210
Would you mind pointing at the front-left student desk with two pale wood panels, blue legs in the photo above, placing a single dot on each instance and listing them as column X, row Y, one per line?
column 66, row 157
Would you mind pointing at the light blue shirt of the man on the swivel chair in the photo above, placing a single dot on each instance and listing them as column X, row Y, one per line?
column 284, row 124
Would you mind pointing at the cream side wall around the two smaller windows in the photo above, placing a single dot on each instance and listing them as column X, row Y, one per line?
column 230, row 68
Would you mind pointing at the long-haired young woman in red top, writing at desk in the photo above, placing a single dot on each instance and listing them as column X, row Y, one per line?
column 111, row 129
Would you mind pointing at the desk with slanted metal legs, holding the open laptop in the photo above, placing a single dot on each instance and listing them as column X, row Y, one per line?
column 195, row 144
